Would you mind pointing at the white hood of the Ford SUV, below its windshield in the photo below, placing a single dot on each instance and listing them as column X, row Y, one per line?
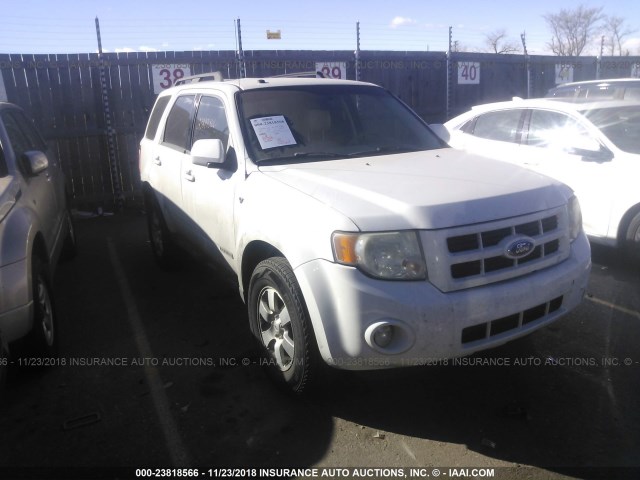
column 422, row 190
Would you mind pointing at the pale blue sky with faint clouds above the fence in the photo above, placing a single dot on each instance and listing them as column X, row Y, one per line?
column 65, row 26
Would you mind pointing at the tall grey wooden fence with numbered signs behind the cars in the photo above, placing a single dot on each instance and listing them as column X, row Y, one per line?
column 63, row 93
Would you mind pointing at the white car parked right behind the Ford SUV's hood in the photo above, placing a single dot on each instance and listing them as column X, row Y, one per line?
column 593, row 147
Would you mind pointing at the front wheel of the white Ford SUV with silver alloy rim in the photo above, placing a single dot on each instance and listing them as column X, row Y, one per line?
column 280, row 322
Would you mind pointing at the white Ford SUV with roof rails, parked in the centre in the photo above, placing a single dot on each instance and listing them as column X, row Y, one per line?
column 357, row 237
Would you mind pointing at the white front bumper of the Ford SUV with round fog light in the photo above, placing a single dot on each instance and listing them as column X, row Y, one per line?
column 345, row 306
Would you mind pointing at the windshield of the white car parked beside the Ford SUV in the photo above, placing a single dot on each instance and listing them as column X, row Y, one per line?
column 621, row 125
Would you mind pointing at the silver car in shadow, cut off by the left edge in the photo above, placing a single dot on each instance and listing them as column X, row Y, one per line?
column 35, row 231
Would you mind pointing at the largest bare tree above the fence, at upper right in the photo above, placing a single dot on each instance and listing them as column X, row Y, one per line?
column 573, row 29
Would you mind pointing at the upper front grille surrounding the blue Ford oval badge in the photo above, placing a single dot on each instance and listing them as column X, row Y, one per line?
column 469, row 256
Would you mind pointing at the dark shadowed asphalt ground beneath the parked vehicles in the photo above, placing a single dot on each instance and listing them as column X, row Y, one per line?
column 158, row 370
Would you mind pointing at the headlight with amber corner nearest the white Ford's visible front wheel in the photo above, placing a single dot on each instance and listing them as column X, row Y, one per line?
column 388, row 255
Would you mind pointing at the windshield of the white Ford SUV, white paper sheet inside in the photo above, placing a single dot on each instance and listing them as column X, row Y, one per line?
column 318, row 122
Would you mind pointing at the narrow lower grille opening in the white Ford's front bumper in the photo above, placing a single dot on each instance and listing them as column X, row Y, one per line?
column 510, row 323
